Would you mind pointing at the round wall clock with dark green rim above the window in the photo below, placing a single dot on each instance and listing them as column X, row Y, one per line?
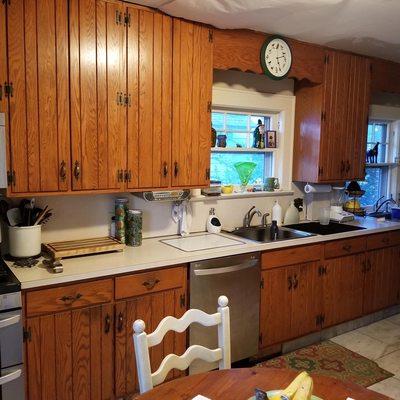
column 276, row 58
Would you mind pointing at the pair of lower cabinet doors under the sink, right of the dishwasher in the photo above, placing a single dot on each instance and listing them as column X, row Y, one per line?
column 290, row 302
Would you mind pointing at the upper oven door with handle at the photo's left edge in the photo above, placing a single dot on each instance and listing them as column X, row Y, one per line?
column 11, row 338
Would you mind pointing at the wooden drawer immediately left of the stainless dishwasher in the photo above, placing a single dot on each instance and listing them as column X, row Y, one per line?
column 149, row 282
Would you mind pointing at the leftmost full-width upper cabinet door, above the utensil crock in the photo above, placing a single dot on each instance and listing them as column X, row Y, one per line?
column 39, row 103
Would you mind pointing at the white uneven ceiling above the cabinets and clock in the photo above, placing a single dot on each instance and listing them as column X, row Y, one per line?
column 370, row 27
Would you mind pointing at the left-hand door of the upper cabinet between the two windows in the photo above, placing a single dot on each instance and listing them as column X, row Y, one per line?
column 334, row 118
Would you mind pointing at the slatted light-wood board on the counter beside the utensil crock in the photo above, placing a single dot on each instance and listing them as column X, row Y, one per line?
column 74, row 248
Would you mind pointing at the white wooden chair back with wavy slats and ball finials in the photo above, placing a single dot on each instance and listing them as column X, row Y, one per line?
column 143, row 341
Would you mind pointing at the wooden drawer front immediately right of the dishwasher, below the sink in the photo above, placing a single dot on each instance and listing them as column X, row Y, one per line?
column 291, row 256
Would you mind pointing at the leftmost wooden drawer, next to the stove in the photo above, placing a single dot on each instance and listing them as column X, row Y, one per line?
column 68, row 297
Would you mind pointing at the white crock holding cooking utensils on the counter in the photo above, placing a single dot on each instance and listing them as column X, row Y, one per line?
column 25, row 241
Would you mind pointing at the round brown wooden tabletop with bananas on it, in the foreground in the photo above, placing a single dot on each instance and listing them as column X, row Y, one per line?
column 239, row 384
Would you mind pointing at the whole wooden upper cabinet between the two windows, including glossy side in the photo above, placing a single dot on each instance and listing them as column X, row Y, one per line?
column 331, row 121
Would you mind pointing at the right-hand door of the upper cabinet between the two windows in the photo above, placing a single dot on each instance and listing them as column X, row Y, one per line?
column 358, row 99
